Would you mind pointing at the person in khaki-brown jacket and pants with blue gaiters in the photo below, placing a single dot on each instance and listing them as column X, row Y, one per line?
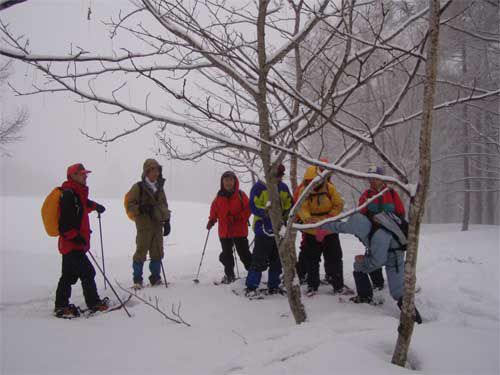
column 147, row 203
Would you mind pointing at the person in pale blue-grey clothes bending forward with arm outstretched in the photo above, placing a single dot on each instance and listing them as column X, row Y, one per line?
column 380, row 250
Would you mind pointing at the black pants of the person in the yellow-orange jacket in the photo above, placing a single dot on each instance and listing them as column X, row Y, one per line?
column 332, row 252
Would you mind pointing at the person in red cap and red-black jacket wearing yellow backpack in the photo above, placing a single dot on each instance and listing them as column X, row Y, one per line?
column 74, row 242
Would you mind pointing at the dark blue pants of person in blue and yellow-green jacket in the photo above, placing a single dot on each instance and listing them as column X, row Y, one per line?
column 265, row 255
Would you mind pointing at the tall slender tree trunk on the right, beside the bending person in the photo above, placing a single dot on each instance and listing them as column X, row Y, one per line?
column 417, row 202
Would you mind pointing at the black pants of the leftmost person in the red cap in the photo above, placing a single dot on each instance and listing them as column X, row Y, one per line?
column 76, row 265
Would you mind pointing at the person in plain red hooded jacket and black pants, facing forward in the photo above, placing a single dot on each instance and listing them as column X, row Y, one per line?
column 231, row 209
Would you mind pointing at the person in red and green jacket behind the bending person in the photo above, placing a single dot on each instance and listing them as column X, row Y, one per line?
column 388, row 202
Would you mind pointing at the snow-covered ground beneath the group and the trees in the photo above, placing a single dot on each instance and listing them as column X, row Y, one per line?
column 458, row 273
